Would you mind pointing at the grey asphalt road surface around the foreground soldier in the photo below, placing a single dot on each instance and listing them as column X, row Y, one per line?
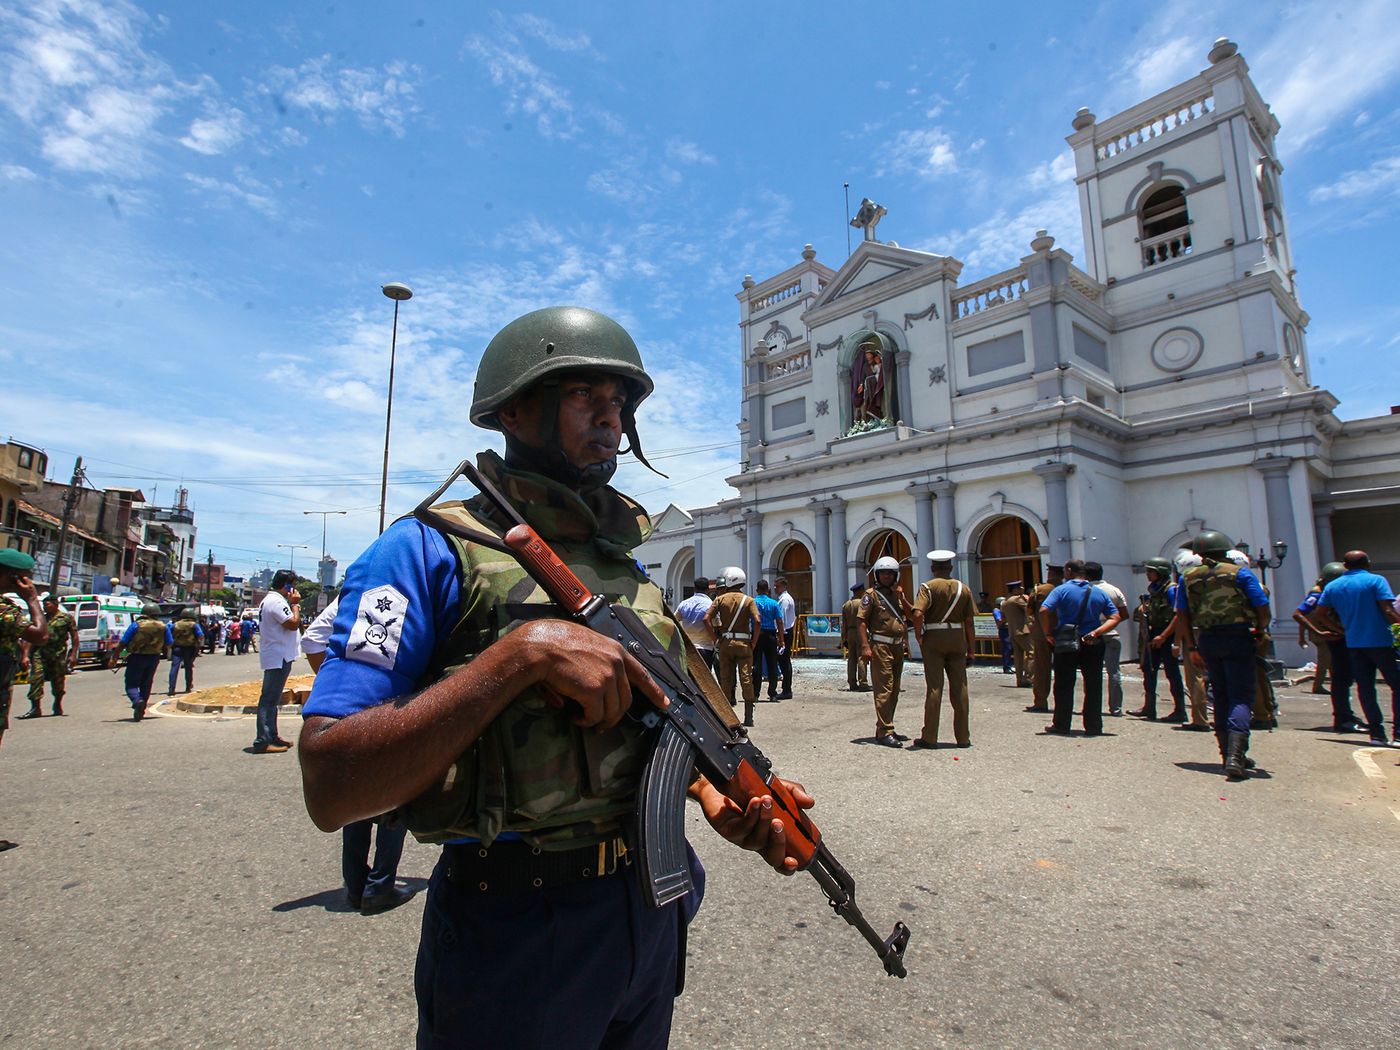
column 171, row 892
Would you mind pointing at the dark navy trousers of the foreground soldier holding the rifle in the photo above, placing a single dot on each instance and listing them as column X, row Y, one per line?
column 573, row 968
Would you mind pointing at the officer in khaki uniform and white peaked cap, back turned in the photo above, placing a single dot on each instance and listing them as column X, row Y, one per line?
column 943, row 625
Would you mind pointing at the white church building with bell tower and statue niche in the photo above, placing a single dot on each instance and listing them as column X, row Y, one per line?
column 1105, row 411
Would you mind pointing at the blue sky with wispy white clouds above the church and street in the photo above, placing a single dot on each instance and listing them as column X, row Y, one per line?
column 201, row 204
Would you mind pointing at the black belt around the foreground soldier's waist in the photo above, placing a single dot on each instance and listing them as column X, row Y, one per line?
column 516, row 867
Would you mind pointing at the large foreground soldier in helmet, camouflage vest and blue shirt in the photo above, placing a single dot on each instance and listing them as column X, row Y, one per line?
column 454, row 692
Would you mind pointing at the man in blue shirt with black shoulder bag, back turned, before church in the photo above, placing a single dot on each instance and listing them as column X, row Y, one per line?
column 1093, row 615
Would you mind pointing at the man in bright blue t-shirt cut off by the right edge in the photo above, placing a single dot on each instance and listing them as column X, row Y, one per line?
column 1360, row 604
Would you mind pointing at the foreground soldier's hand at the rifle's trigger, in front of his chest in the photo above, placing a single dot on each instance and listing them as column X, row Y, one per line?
column 576, row 666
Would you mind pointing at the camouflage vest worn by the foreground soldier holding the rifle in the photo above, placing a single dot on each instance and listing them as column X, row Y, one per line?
column 533, row 772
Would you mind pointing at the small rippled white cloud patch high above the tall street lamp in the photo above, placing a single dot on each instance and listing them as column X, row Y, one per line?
column 381, row 97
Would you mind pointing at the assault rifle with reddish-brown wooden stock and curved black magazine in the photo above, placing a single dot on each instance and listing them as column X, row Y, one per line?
column 688, row 736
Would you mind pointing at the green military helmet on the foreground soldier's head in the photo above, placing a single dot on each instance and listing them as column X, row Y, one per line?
column 558, row 339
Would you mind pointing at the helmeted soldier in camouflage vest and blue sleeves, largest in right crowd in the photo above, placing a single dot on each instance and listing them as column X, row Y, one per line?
column 1224, row 611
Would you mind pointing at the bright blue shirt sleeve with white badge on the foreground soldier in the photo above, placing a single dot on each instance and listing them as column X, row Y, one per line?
column 422, row 568
